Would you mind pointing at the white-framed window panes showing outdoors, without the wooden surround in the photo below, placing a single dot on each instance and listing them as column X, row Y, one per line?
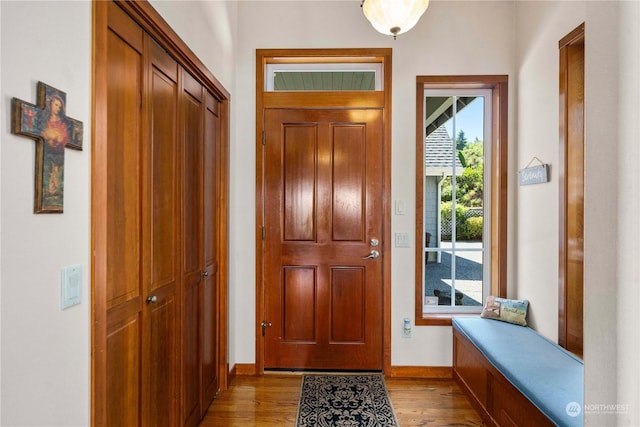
column 456, row 126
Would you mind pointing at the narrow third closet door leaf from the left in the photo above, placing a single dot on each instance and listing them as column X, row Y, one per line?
column 192, row 134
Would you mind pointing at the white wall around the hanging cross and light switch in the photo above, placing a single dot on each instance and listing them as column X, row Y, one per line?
column 45, row 351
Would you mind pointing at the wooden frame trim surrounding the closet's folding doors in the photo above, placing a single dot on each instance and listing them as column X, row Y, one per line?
column 151, row 22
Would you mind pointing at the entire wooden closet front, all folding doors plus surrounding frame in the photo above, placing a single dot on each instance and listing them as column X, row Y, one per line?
column 159, row 243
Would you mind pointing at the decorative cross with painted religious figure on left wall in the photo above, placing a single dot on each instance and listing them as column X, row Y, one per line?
column 48, row 124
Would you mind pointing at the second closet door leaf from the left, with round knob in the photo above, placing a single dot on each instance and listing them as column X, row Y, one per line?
column 160, row 254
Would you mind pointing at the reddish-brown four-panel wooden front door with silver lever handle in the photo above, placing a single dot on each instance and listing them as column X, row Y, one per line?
column 323, row 204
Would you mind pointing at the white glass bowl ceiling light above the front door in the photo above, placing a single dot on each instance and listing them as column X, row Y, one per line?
column 393, row 17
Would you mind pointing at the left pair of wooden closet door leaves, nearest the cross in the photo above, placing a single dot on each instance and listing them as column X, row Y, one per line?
column 142, row 358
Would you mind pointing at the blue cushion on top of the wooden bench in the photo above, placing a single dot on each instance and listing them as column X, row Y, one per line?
column 548, row 375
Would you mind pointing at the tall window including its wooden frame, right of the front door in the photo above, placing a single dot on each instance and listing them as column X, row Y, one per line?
column 459, row 214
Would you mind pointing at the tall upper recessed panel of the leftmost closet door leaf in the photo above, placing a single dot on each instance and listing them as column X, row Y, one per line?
column 123, row 163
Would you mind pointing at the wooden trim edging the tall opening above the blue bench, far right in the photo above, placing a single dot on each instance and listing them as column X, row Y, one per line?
column 576, row 36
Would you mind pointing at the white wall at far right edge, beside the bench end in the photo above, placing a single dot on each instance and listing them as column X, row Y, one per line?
column 611, row 195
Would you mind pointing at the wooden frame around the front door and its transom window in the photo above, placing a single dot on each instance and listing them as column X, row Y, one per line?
column 383, row 55
